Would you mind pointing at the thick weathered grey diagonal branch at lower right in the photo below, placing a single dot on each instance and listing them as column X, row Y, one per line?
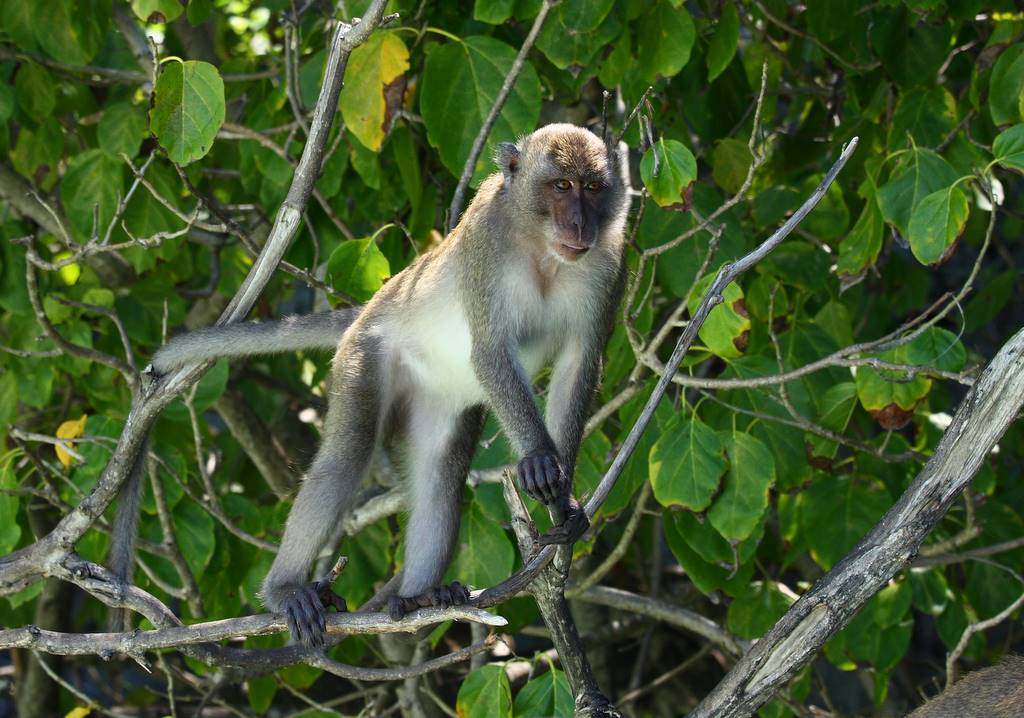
column 983, row 418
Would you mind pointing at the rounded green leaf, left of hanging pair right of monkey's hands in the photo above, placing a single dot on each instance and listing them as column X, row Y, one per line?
column 687, row 464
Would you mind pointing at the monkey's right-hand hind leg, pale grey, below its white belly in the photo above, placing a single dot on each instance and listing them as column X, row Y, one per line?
column 441, row 449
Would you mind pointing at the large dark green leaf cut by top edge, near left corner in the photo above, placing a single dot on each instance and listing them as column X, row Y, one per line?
column 72, row 31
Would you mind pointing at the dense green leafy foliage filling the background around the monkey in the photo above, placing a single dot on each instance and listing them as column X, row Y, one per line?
column 762, row 483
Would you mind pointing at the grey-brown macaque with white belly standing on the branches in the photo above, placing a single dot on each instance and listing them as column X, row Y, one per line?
column 531, row 276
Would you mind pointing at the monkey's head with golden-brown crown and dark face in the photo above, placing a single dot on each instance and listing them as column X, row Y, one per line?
column 565, row 179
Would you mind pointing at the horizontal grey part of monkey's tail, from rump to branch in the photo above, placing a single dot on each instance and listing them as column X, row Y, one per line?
column 298, row 332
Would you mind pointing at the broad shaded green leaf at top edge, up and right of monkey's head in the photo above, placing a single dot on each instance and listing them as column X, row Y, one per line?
column 667, row 37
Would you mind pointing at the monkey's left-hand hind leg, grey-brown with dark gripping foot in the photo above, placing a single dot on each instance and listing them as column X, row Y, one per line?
column 328, row 491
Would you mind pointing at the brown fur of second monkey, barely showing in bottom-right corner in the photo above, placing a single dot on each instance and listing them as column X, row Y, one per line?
column 997, row 692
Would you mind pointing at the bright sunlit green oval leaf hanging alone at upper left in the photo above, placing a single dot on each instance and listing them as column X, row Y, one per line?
column 188, row 109
